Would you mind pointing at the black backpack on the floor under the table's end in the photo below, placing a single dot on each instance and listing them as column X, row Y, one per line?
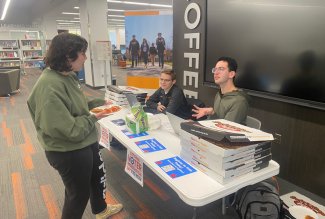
column 258, row 201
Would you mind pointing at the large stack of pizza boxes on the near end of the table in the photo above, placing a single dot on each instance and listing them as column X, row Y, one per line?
column 225, row 150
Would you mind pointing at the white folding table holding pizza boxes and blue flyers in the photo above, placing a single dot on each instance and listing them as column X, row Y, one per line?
column 195, row 189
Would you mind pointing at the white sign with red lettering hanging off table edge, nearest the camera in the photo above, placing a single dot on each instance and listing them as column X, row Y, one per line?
column 134, row 167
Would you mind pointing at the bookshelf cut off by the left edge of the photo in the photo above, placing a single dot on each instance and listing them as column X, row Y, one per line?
column 9, row 54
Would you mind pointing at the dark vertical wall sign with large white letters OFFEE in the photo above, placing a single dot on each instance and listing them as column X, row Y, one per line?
column 189, row 28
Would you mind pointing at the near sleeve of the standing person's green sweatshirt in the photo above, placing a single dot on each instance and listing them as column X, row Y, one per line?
column 56, row 121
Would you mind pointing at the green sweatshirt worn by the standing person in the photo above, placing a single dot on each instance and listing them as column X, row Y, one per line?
column 60, row 112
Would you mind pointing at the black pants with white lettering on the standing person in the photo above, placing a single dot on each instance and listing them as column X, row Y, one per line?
column 84, row 176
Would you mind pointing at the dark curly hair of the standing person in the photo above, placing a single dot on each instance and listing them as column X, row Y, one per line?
column 64, row 47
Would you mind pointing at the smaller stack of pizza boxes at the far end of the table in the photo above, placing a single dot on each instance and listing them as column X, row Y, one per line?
column 116, row 94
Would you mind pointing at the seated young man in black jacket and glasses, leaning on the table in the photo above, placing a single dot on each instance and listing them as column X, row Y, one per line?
column 169, row 97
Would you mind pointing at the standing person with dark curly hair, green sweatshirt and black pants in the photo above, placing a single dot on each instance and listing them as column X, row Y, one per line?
column 66, row 129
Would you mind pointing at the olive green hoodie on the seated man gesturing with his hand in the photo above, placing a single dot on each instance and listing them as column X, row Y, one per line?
column 232, row 106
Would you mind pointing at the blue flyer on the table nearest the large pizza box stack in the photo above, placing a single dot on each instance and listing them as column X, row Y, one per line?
column 175, row 167
